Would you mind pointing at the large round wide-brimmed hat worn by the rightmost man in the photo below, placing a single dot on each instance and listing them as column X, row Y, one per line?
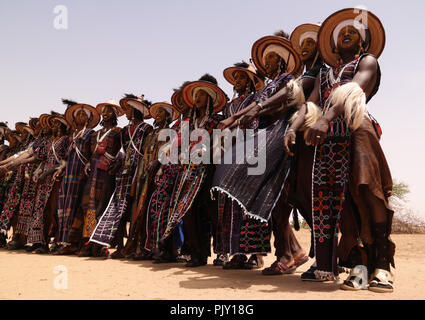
column 368, row 25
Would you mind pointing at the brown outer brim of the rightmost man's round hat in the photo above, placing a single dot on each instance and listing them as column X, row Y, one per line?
column 374, row 25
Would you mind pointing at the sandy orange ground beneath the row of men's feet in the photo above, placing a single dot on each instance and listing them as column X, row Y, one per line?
column 29, row 276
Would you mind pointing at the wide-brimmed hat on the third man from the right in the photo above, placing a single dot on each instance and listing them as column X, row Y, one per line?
column 277, row 44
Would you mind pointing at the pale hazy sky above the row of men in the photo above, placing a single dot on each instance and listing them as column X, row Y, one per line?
column 115, row 47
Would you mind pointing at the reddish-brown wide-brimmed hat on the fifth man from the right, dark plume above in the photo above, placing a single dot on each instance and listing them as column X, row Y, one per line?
column 218, row 96
